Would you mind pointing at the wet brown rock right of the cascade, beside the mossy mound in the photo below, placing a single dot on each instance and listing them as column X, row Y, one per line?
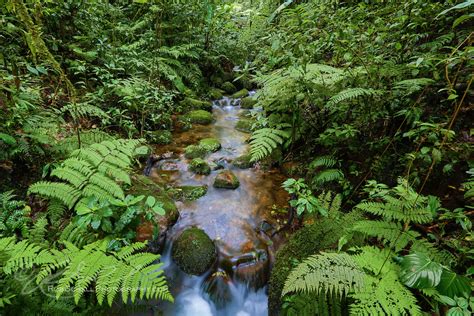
column 252, row 268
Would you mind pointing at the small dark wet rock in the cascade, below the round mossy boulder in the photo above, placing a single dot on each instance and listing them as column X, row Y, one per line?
column 217, row 287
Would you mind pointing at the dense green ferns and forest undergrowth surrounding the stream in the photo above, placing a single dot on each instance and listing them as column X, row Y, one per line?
column 366, row 104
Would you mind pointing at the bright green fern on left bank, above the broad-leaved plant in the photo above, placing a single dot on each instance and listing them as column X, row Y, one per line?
column 96, row 170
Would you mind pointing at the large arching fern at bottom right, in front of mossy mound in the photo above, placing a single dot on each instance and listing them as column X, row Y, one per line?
column 366, row 277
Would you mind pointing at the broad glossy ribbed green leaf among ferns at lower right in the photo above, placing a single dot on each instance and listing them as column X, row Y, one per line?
column 418, row 271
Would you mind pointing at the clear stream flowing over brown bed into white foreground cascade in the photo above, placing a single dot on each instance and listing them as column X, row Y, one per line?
column 231, row 218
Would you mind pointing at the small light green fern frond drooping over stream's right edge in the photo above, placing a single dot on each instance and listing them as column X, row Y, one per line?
column 264, row 141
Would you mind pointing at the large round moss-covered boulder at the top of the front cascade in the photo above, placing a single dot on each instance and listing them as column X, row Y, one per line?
column 194, row 252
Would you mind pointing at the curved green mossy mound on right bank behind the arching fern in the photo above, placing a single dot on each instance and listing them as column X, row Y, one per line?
column 309, row 240
